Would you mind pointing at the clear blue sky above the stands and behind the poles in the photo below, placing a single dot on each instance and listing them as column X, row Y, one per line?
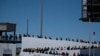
column 60, row 18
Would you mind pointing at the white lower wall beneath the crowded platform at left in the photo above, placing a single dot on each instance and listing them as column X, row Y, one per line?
column 6, row 48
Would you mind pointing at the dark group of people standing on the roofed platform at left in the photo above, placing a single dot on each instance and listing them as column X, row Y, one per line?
column 11, row 38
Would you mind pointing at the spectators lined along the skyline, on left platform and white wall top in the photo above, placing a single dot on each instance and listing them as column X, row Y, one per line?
column 19, row 38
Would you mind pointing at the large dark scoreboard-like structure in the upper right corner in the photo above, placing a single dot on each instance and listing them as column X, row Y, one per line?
column 90, row 10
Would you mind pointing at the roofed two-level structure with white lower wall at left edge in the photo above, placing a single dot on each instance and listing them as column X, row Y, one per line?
column 7, row 43
